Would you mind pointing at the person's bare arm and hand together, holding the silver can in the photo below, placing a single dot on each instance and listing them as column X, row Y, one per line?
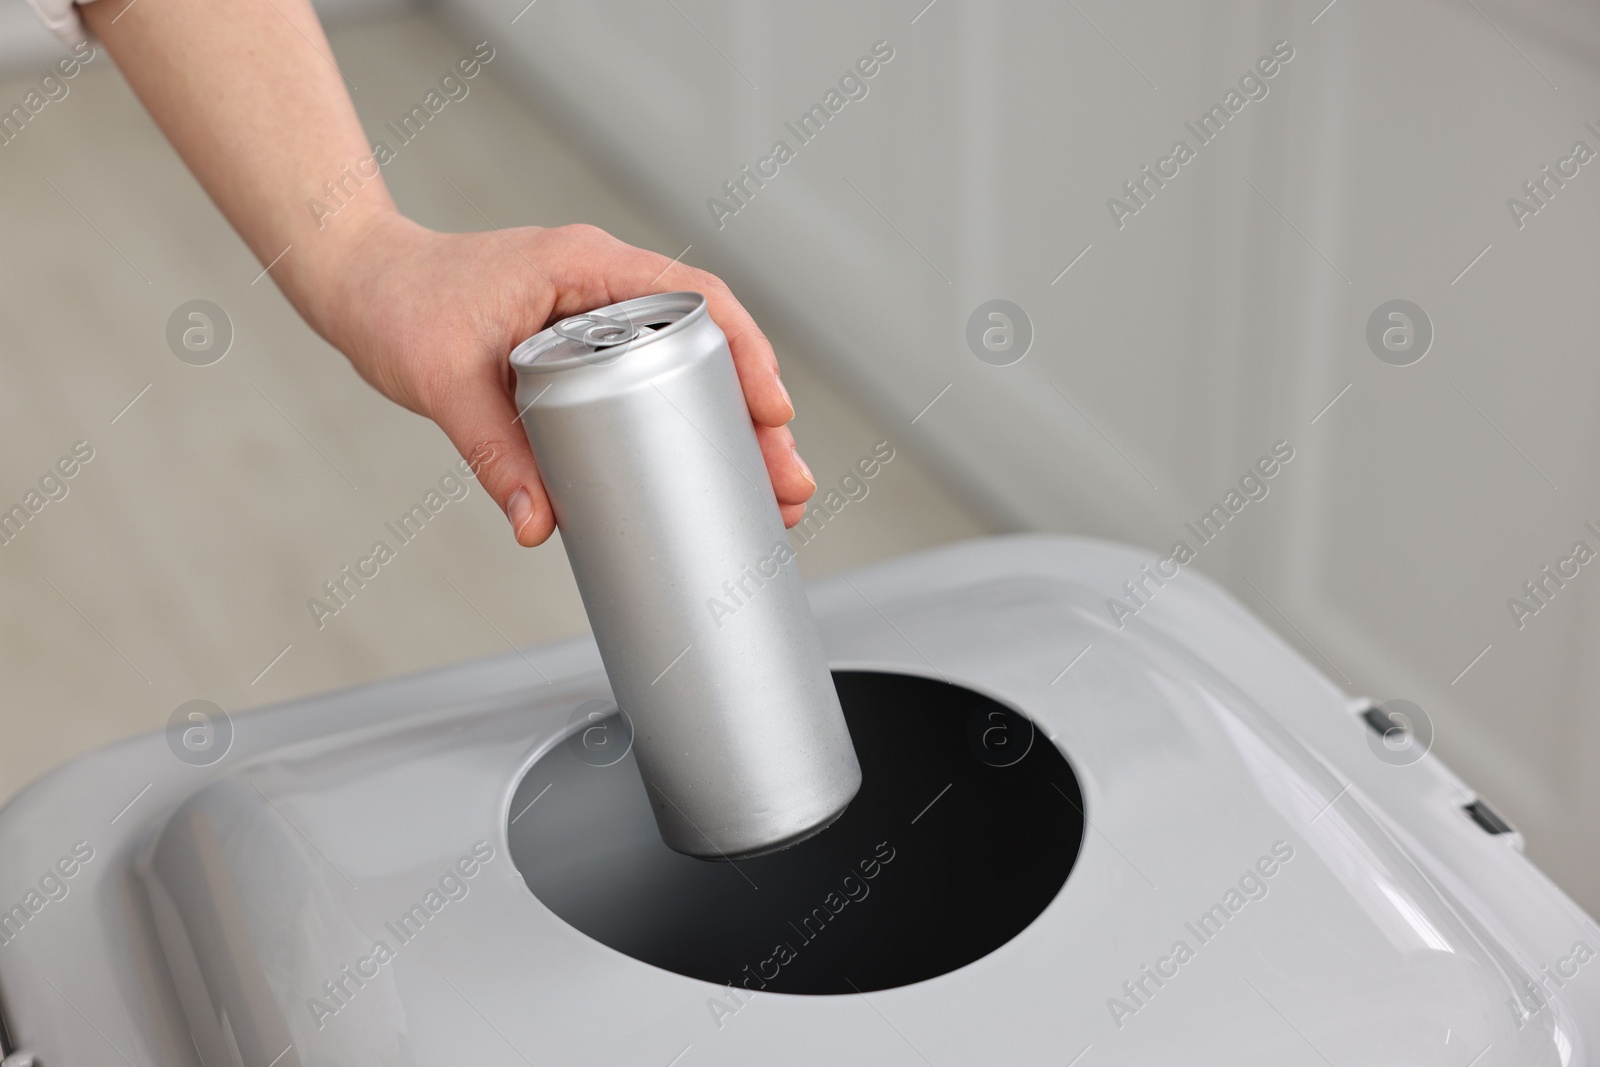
column 430, row 319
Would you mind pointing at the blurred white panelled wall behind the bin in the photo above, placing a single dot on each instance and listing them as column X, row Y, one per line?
column 1225, row 316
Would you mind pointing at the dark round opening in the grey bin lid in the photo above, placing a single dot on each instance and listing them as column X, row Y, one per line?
column 966, row 828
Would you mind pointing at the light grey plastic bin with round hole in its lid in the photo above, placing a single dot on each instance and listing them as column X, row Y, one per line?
column 1076, row 842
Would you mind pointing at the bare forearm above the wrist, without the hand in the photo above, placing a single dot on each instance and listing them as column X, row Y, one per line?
column 250, row 98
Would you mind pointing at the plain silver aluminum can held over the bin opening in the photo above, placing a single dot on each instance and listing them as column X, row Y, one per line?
column 646, row 446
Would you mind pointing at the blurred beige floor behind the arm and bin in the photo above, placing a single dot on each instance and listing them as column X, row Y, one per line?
column 222, row 498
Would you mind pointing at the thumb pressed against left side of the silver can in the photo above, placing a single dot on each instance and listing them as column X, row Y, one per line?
column 478, row 414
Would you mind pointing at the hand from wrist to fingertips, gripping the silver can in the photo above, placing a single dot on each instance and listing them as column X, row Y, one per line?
column 430, row 321
